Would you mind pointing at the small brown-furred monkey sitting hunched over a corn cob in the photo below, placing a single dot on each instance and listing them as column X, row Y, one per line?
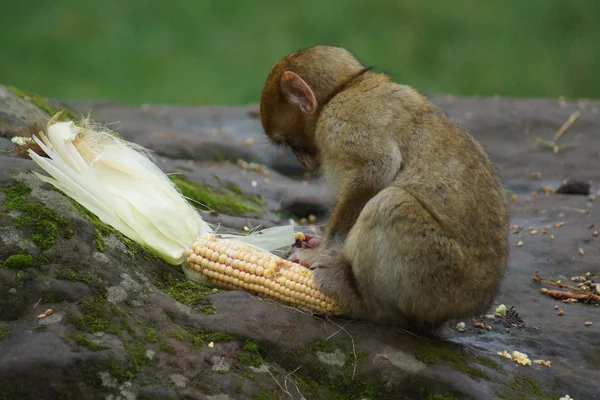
column 418, row 234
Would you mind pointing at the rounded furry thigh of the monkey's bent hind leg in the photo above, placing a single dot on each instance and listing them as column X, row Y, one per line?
column 405, row 268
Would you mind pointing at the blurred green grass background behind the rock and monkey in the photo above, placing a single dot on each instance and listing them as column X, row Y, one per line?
column 208, row 52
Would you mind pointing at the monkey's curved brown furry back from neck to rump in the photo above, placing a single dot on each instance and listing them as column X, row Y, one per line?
column 443, row 166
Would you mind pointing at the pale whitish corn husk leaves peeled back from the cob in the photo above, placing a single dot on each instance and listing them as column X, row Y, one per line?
column 118, row 182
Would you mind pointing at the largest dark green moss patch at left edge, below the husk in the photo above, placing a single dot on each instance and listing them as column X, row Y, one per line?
column 41, row 222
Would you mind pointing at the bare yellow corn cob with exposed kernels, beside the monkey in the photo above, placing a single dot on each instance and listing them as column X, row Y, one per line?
column 234, row 265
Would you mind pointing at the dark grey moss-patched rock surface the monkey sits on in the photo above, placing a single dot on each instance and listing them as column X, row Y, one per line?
column 124, row 325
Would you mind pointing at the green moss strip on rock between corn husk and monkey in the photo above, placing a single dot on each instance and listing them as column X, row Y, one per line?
column 215, row 199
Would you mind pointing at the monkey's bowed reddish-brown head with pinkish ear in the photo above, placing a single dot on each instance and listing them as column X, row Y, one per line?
column 295, row 91
